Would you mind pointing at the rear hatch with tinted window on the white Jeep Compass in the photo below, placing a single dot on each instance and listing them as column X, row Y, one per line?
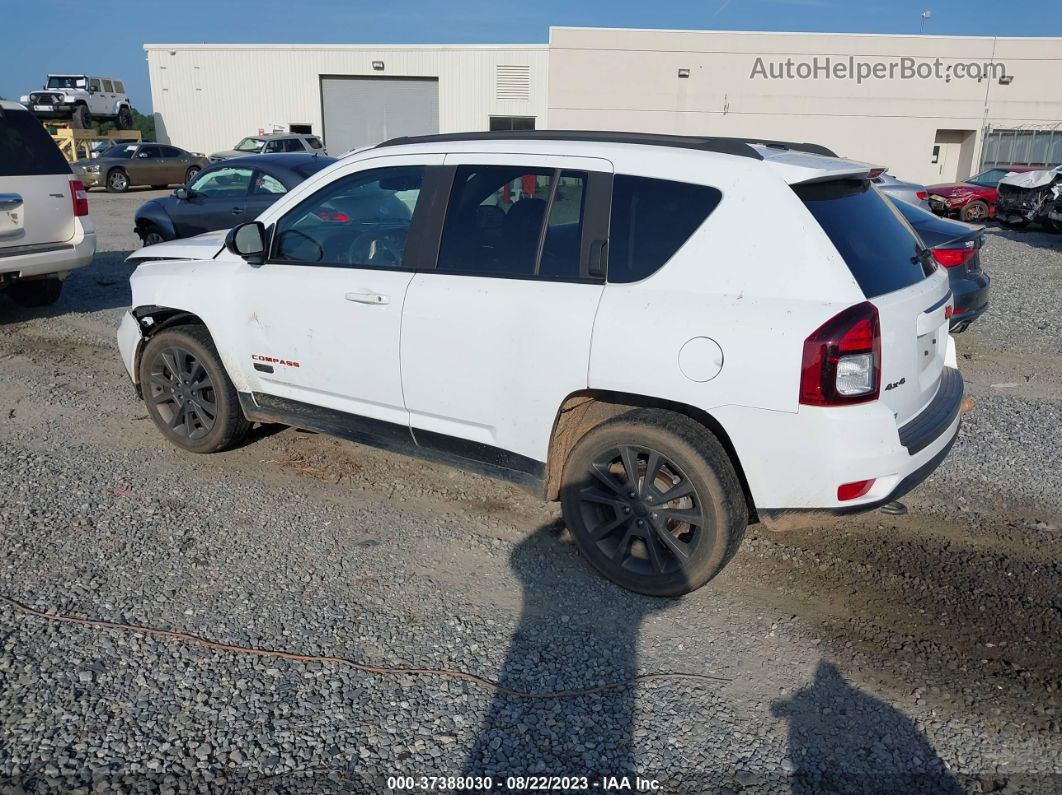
column 899, row 276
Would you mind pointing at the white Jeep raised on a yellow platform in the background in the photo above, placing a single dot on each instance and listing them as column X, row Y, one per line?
column 82, row 99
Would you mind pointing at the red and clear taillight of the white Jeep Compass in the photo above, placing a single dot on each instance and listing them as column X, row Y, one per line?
column 843, row 359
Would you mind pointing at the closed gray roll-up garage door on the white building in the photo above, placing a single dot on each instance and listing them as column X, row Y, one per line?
column 361, row 112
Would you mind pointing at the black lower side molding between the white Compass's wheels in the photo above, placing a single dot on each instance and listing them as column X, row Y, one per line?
column 440, row 448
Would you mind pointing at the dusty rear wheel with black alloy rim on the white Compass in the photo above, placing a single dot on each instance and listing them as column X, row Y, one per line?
column 654, row 503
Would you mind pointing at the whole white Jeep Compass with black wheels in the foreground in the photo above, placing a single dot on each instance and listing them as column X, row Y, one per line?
column 605, row 318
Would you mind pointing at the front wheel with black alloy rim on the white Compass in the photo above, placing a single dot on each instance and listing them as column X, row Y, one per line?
column 189, row 394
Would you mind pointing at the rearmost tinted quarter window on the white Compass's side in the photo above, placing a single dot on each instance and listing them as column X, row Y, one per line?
column 650, row 221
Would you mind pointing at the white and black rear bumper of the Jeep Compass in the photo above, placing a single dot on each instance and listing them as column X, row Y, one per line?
column 795, row 462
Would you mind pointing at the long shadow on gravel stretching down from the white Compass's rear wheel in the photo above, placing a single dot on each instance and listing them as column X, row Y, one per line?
column 576, row 631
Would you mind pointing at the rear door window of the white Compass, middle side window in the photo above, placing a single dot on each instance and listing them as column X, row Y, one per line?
column 515, row 221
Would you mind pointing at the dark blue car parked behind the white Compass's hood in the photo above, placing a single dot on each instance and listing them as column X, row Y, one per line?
column 226, row 195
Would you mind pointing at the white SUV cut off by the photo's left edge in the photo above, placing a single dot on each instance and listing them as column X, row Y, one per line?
column 45, row 230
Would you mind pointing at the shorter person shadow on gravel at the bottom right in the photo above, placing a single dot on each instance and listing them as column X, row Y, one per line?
column 843, row 740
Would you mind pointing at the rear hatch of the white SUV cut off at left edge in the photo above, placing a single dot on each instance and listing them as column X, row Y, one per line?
column 37, row 205
